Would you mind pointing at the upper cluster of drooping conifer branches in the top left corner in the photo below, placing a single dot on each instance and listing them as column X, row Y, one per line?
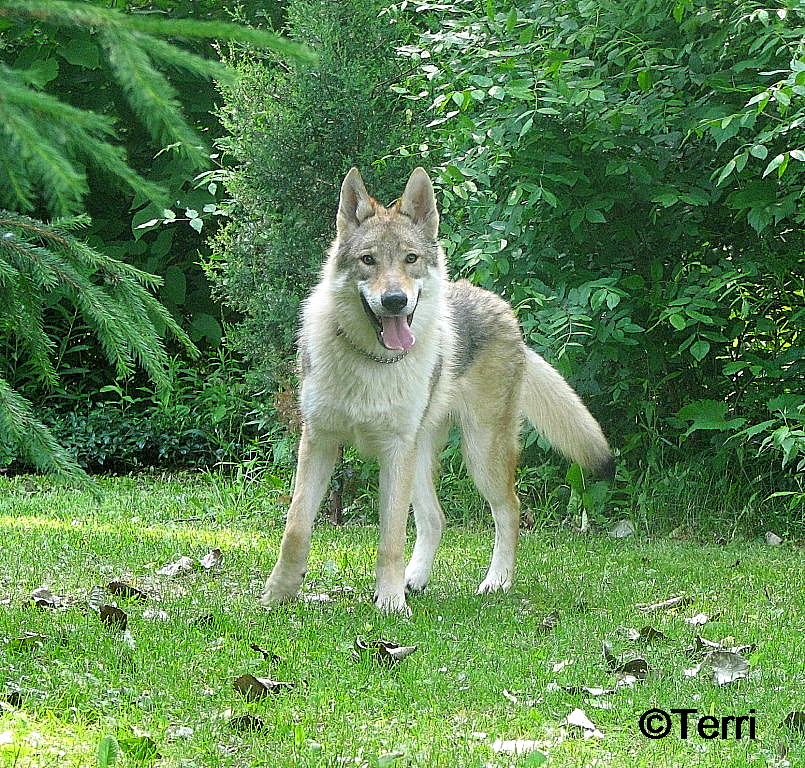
column 49, row 143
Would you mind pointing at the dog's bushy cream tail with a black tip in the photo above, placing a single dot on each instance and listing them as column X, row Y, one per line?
column 557, row 413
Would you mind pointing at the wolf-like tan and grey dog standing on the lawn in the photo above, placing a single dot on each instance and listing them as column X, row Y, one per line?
column 391, row 354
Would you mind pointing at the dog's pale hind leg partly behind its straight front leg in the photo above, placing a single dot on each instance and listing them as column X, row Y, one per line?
column 427, row 514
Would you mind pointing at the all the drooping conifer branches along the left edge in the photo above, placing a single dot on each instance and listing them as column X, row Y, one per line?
column 46, row 148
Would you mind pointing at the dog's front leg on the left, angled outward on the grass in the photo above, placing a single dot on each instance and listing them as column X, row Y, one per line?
column 314, row 467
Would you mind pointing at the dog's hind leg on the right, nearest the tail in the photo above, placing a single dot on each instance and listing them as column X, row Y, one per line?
column 491, row 448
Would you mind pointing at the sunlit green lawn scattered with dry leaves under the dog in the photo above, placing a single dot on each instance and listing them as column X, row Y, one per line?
column 485, row 669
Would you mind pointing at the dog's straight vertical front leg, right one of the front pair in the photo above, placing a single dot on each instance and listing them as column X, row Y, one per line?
column 396, row 478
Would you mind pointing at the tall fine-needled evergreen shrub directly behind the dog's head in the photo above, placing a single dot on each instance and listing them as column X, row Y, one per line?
column 294, row 132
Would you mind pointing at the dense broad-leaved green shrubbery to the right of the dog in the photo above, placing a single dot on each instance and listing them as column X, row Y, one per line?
column 630, row 177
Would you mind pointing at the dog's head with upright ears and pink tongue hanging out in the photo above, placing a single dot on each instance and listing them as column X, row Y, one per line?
column 388, row 253
